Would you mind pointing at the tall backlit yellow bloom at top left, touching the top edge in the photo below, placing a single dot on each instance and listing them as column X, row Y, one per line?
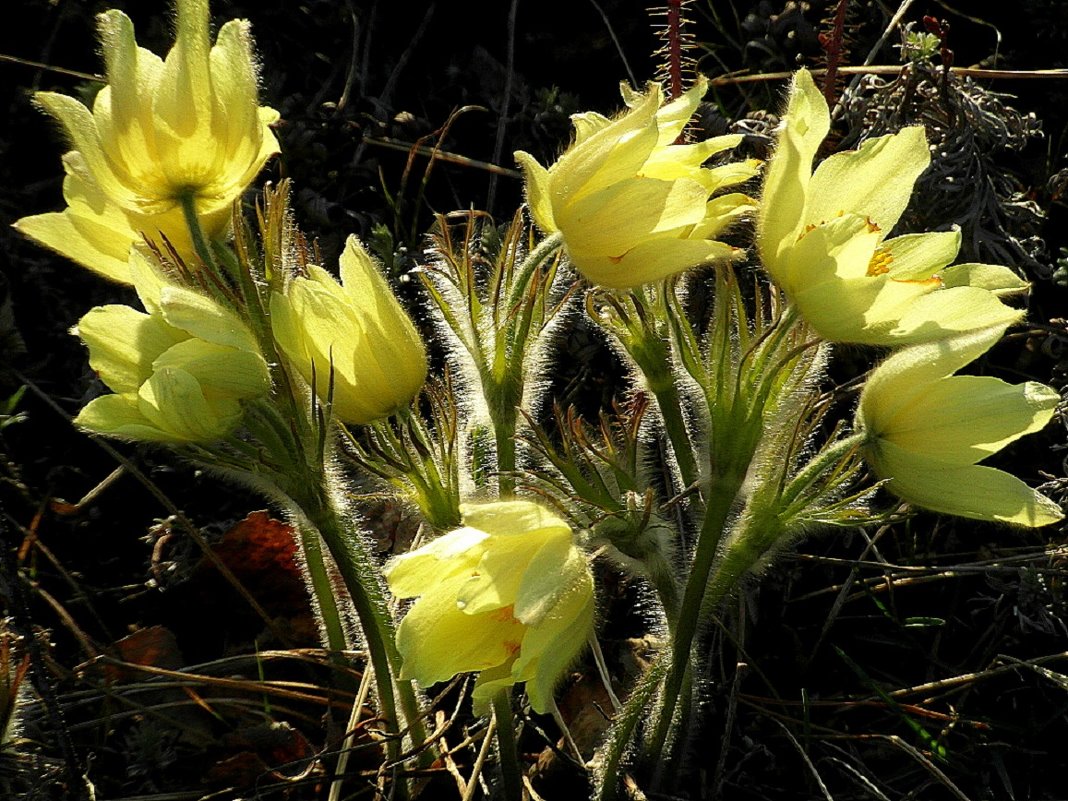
column 189, row 127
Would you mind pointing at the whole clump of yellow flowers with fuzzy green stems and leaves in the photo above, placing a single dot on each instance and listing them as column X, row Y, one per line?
column 256, row 360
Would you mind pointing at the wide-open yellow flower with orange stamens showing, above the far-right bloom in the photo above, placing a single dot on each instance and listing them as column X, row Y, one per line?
column 822, row 237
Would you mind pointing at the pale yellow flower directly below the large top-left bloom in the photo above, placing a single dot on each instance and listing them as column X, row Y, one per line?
column 179, row 372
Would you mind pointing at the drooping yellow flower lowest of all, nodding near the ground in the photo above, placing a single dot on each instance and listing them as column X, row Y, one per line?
column 510, row 595
